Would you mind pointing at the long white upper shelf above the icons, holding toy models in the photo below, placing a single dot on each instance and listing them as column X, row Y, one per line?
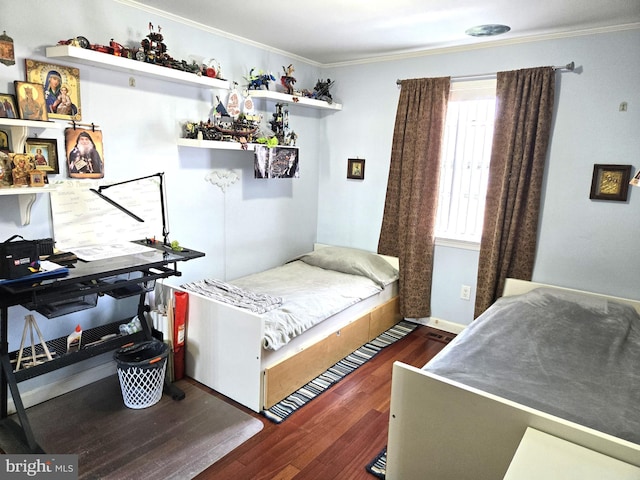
column 113, row 62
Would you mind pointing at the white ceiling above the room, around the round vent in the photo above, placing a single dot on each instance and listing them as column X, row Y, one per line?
column 350, row 31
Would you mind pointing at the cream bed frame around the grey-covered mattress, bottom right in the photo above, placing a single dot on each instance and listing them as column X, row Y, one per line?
column 442, row 429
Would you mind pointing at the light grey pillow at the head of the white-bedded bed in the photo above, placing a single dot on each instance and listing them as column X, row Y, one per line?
column 354, row 262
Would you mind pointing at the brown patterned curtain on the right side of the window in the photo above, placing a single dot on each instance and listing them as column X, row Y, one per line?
column 521, row 137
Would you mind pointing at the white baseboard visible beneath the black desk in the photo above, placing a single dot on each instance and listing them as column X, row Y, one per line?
column 63, row 385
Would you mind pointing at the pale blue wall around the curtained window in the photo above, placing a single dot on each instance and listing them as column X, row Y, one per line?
column 583, row 243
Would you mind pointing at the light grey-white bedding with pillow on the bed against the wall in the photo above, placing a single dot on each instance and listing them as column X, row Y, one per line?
column 300, row 294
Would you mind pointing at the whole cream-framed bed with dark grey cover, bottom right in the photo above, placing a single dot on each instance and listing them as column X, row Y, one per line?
column 546, row 379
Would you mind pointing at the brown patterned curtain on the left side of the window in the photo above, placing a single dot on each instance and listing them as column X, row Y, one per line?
column 407, row 230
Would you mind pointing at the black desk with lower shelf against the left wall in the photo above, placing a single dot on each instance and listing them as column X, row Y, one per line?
column 87, row 278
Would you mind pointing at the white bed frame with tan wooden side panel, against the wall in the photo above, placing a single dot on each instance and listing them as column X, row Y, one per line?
column 224, row 345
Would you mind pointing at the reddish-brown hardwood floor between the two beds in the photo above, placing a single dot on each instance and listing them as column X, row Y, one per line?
column 335, row 435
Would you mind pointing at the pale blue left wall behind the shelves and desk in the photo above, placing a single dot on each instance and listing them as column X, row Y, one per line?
column 255, row 225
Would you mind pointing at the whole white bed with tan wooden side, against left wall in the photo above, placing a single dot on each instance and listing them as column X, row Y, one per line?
column 231, row 345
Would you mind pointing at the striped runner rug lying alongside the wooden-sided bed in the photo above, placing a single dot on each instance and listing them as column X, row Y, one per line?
column 298, row 399
